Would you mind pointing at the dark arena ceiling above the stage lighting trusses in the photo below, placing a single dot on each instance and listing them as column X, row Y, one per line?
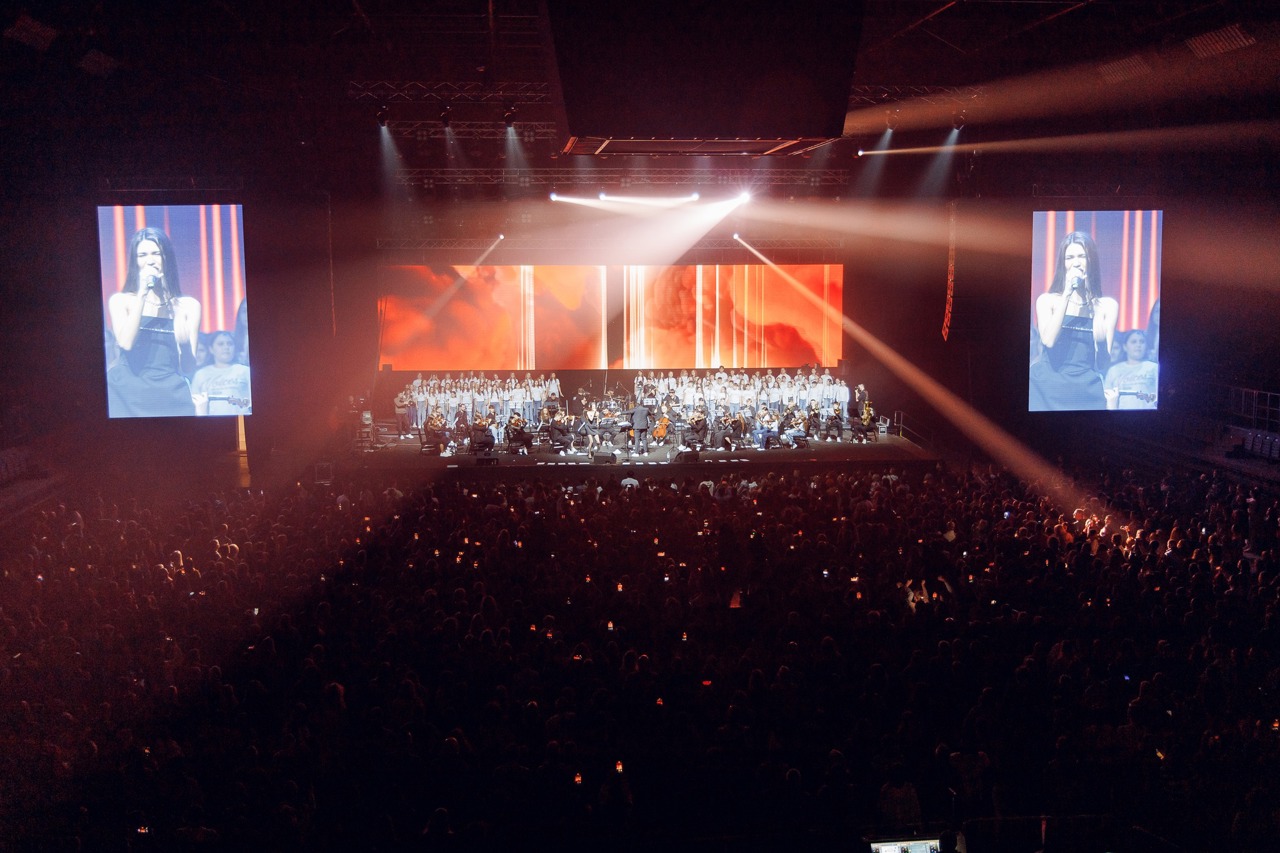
column 666, row 77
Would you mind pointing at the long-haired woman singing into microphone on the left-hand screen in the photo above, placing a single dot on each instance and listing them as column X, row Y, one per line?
column 154, row 325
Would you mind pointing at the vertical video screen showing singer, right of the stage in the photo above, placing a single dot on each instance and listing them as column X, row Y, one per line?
column 1095, row 327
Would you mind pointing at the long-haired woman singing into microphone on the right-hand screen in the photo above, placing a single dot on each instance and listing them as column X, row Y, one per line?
column 1076, row 326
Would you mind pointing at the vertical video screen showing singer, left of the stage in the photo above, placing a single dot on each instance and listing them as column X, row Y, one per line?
column 175, row 311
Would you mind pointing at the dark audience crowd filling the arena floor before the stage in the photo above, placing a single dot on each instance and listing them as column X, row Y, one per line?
column 743, row 662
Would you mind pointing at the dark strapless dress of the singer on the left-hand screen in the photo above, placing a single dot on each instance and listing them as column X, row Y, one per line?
column 148, row 382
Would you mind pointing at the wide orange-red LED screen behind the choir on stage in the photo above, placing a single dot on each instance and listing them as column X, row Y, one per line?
column 587, row 318
